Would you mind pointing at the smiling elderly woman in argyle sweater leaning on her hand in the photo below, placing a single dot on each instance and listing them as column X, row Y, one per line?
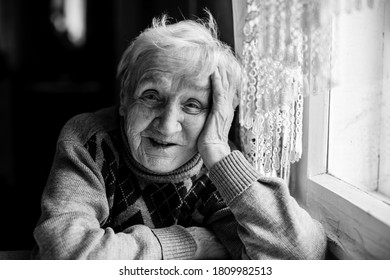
column 155, row 177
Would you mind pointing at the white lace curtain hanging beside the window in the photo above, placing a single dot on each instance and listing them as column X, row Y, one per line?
column 286, row 56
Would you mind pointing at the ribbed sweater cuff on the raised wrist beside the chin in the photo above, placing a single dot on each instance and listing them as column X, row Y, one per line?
column 233, row 175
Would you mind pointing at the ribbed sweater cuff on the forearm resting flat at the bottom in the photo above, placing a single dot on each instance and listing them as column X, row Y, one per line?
column 176, row 243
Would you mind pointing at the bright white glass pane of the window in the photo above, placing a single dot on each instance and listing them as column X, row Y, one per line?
column 355, row 101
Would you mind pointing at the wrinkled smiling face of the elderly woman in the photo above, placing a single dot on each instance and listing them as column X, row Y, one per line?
column 163, row 119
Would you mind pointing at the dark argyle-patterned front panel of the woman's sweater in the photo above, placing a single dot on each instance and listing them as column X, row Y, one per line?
column 137, row 197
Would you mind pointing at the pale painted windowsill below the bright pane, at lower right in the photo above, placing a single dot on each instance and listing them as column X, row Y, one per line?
column 357, row 223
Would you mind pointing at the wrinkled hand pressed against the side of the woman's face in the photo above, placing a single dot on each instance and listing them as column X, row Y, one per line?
column 213, row 140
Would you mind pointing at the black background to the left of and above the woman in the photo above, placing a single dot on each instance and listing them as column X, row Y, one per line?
column 44, row 82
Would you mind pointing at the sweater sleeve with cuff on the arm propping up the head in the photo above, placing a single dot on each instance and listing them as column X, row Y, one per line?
column 266, row 222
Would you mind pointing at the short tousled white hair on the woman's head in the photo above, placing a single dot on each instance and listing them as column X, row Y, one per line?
column 190, row 48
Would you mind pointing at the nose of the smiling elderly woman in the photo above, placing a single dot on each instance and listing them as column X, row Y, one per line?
column 168, row 122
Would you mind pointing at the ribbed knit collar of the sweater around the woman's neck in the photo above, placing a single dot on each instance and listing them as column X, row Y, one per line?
column 189, row 169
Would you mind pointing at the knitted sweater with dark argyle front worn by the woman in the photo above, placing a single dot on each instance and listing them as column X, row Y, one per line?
column 100, row 203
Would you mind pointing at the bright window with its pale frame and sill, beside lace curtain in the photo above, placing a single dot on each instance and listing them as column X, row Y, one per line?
column 343, row 178
